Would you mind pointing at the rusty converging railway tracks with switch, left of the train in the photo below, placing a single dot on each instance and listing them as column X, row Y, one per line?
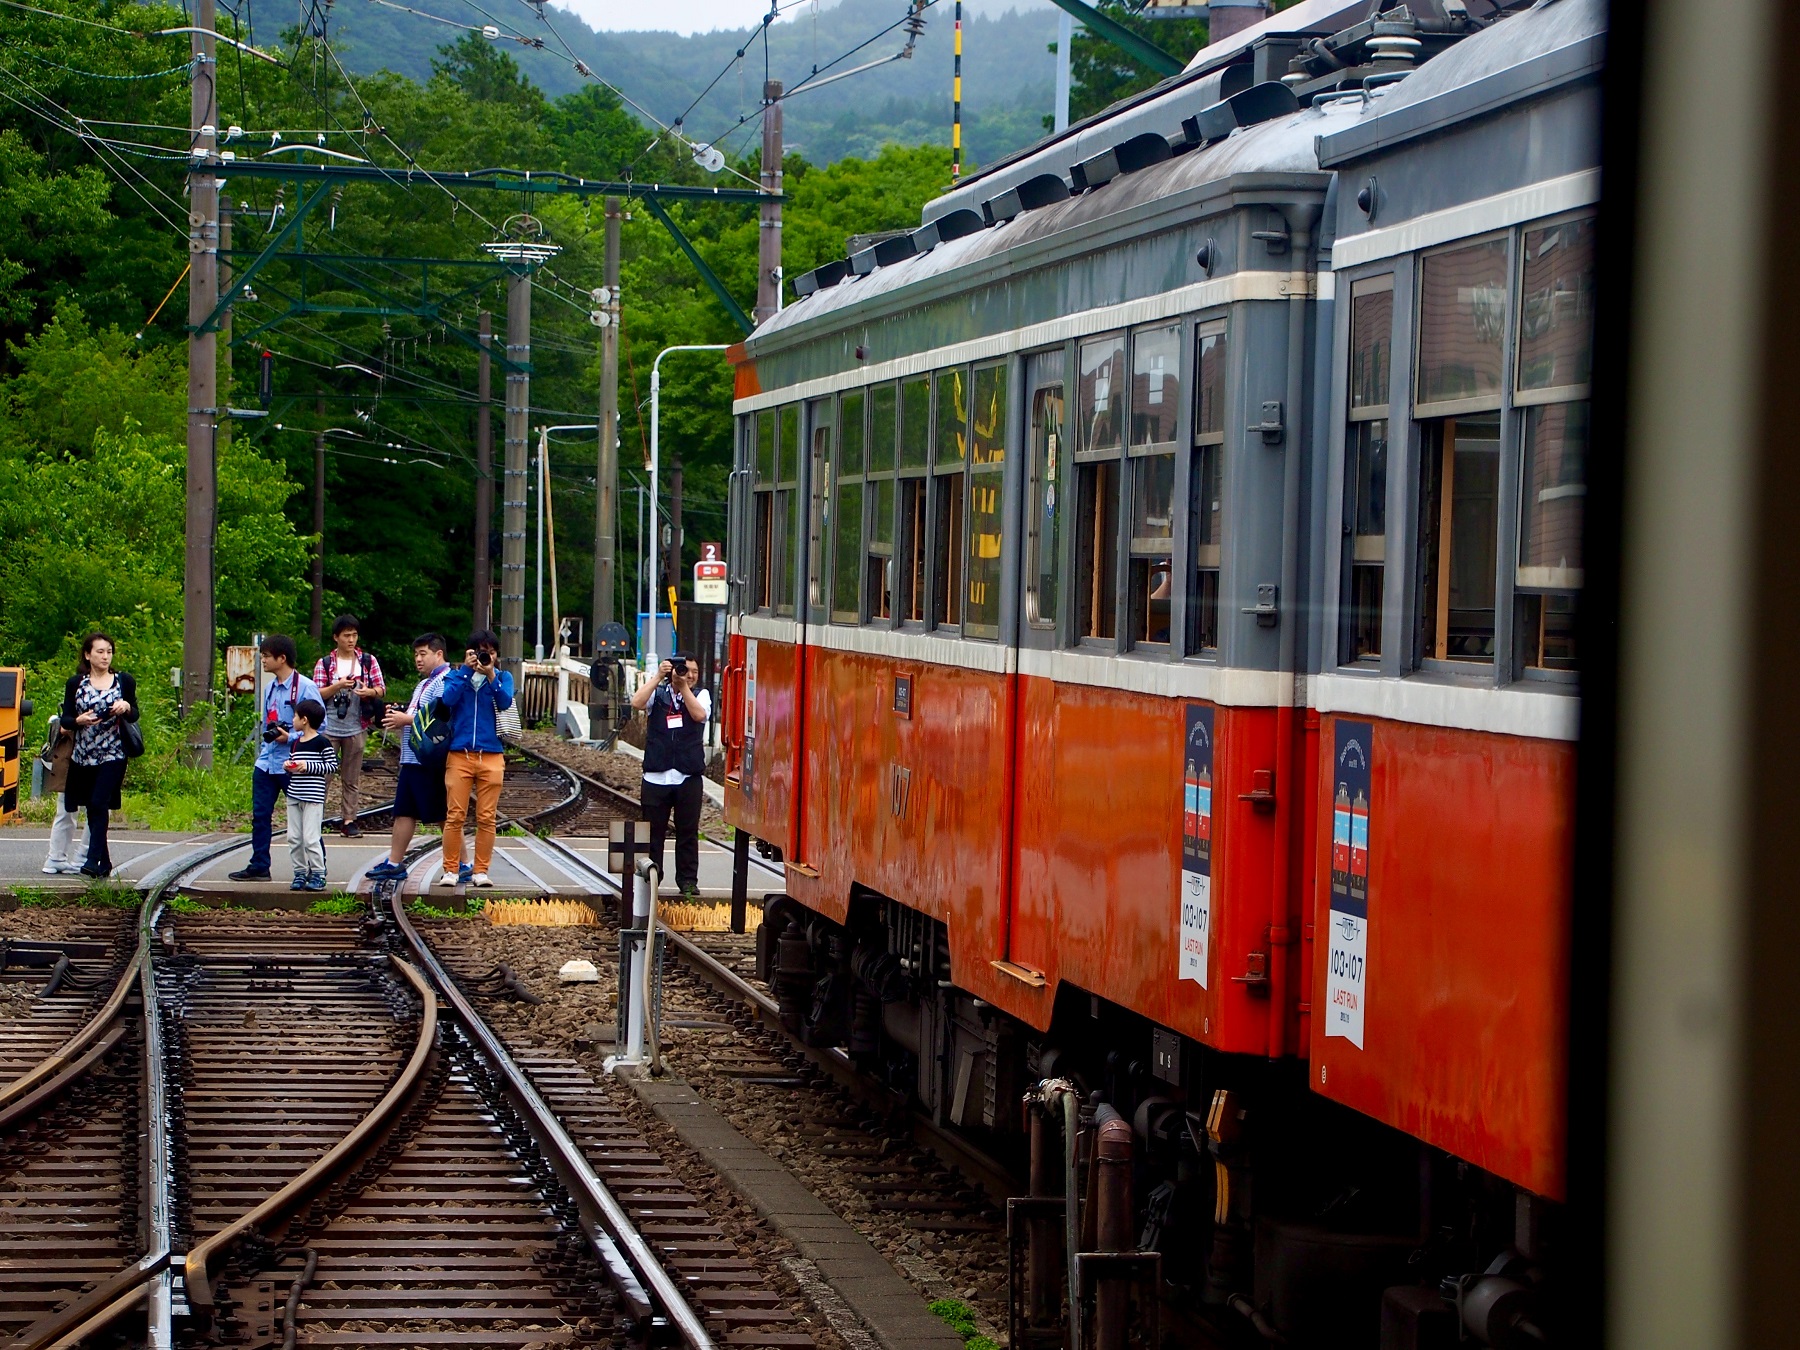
column 332, row 1147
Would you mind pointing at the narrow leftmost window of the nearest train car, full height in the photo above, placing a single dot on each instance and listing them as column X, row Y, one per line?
column 1367, row 467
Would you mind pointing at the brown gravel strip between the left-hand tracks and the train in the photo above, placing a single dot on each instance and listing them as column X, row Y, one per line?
column 832, row 1146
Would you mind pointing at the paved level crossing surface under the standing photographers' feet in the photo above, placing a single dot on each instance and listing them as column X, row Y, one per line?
column 521, row 867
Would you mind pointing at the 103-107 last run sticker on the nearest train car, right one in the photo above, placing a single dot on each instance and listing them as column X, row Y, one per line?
column 1347, row 960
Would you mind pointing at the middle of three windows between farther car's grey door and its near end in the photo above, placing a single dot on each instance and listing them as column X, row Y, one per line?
column 1155, row 402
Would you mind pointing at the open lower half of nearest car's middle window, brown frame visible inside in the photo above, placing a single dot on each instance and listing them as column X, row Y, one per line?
column 1459, row 534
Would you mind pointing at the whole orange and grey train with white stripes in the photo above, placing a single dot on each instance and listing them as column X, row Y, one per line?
column 1153, row 652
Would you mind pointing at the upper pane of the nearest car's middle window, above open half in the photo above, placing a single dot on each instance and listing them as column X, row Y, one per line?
column 1462, row 321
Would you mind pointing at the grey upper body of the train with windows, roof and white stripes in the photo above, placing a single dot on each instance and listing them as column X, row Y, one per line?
column 1266, row 386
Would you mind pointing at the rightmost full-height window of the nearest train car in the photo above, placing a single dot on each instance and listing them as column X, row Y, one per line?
column 1556, row 363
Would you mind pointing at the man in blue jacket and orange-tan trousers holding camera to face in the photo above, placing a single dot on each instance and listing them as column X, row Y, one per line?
column 474, row 696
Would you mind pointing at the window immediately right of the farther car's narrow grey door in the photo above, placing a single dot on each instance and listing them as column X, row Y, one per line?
column 1101, row 391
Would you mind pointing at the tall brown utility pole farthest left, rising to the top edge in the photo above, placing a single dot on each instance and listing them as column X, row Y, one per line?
column 202, row 393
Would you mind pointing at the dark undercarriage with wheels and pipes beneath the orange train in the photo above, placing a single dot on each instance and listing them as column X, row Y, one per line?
column 1214, row 1194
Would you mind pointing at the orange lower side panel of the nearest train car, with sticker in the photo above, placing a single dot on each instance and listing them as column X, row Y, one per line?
column 1462, row 1000
